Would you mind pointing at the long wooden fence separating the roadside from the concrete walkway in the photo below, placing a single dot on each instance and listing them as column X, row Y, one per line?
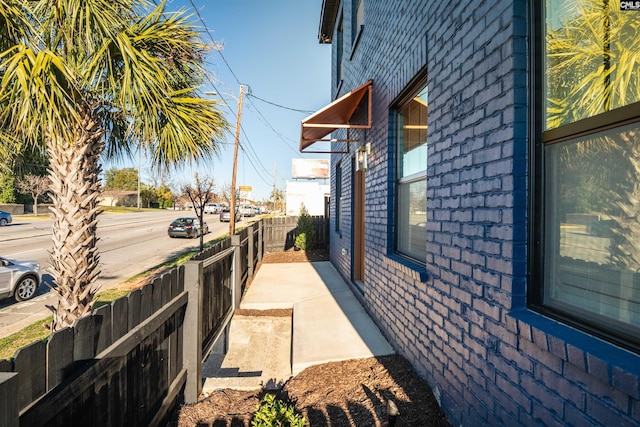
column 130, row 363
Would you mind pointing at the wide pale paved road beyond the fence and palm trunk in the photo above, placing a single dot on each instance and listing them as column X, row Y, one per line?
column 129, row 244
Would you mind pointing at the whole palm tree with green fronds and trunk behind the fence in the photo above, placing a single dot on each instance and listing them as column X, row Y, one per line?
column 91, row 78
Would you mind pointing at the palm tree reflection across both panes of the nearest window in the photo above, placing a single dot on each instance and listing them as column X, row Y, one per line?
column 594, row 67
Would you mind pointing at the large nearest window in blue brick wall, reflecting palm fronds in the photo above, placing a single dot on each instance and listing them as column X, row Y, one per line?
column 587, row 258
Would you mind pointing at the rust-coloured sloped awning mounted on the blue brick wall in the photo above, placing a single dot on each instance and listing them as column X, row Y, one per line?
column 334, row 116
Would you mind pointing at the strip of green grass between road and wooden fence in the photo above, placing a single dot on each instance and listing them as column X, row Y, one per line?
column 38, row 331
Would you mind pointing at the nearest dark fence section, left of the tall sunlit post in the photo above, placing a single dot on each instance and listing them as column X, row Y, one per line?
column 122, row 365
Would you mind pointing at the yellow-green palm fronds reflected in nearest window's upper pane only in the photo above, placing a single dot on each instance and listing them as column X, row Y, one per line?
column 594, row 61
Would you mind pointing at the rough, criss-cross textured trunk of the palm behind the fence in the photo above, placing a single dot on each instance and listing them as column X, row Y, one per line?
column 75, row 187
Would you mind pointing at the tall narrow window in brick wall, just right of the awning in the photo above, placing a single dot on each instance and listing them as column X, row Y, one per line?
column 411, row 184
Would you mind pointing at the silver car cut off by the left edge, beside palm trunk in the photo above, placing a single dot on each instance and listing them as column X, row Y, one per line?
column 19, row 279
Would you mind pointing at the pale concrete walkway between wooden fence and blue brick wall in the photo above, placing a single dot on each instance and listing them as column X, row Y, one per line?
column 328, row 324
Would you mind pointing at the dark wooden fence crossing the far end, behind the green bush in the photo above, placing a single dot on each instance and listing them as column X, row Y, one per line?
column 280, row 233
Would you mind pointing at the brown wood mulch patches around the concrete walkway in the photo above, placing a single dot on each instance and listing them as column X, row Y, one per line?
column 348, row 393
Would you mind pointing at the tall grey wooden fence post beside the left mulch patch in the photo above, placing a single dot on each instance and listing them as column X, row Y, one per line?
column 192, row 346
